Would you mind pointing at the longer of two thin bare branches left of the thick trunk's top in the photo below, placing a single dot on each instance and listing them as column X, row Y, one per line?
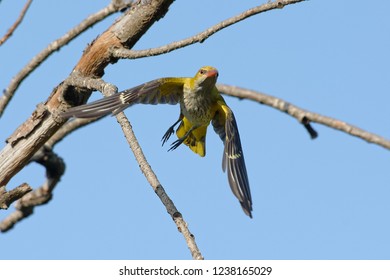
column 9, row 92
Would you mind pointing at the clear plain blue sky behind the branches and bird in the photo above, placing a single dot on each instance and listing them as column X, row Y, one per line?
column 313, row 199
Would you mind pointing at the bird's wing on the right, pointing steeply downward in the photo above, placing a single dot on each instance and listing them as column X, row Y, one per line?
column 233, row 162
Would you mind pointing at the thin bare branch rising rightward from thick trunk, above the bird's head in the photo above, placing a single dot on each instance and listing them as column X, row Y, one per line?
column 201, row 37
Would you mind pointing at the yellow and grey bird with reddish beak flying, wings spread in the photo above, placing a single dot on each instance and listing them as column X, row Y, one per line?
column 200, row 104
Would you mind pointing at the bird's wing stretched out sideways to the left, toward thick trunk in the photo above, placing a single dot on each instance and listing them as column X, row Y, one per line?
column 164, row 90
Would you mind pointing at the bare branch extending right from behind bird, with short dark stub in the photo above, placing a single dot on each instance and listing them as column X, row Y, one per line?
column 302, row 115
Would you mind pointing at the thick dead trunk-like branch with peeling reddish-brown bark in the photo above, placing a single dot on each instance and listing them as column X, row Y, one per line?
column 44, row 122
